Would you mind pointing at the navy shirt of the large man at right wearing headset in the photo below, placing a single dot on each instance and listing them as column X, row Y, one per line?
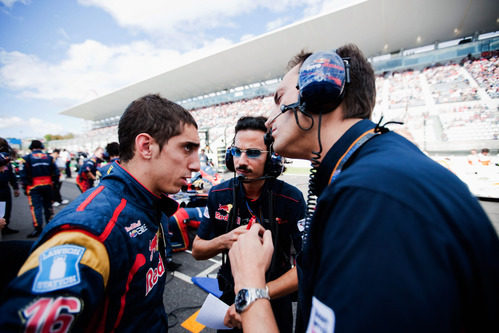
column 397, row 244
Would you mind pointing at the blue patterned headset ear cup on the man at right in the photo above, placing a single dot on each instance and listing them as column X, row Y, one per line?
column 321, row 82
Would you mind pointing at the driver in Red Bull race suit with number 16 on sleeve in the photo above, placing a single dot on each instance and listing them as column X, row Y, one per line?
column 99, row 265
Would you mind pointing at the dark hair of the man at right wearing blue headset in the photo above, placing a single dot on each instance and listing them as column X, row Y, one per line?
column 360, row 94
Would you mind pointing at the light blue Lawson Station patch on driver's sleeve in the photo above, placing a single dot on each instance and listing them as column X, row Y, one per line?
column 58, row 268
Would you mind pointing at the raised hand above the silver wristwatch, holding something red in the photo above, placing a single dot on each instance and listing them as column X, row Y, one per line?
column 250, row 258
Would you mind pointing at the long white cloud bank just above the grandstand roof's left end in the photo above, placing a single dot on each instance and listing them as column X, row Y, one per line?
column 92, row 69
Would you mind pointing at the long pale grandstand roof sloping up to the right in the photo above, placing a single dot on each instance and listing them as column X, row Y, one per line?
column 376, row 26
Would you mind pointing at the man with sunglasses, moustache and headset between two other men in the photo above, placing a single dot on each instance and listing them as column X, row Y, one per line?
column 254, row 197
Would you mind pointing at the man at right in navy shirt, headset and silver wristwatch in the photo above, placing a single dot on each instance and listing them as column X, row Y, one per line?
column 397, row 243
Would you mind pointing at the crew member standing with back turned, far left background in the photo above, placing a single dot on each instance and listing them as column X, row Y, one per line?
column 38, row 175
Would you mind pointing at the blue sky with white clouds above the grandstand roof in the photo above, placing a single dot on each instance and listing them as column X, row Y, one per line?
column 55, row 54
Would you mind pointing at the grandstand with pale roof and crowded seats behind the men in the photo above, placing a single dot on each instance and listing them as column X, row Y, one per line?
column 446, row 92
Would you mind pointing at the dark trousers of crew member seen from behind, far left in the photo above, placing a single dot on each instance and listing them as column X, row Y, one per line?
column 40, row 204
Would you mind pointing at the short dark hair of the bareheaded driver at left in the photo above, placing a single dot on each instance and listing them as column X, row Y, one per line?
column 154, row 115
